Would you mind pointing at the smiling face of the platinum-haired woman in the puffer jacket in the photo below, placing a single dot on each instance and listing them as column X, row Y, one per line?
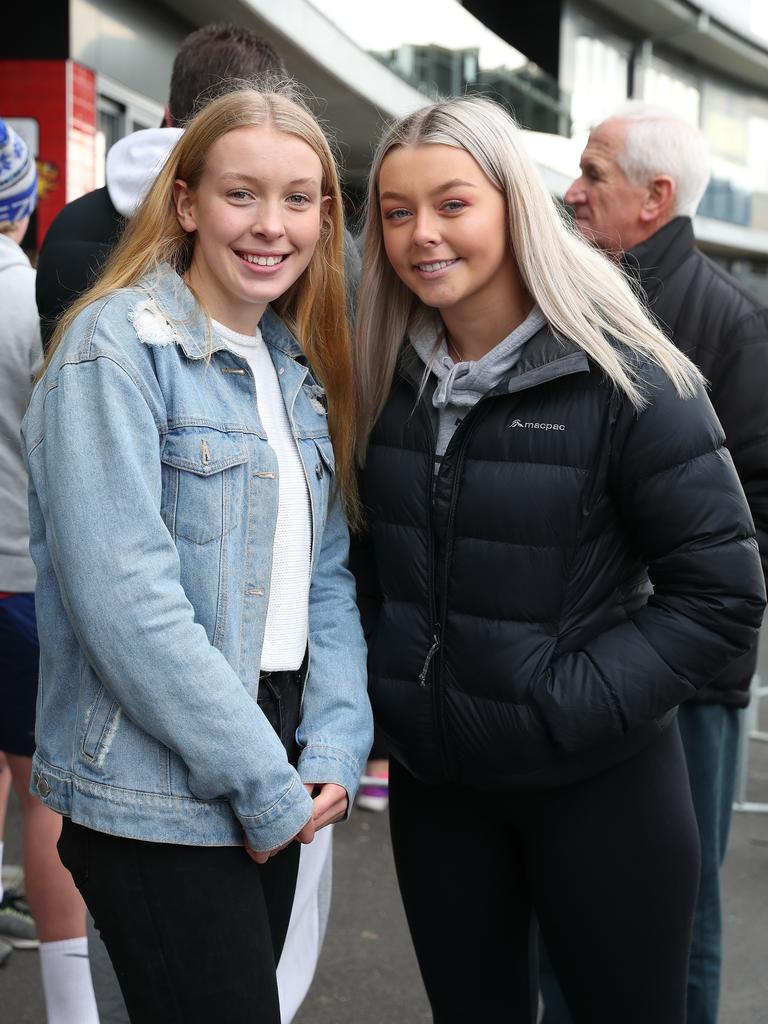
column 445, row 229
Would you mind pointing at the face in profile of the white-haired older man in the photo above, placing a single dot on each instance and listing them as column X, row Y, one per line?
column 609, row 210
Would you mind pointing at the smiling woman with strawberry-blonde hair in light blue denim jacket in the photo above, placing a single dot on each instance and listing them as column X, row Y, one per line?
column 203, row 705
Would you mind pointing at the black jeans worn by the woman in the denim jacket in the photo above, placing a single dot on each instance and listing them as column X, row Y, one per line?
column 194, row 933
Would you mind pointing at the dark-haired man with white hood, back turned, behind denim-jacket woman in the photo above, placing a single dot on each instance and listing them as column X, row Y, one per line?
column 84, row 234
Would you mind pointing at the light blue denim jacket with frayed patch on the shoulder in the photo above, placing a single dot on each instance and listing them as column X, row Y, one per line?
column 153, row 506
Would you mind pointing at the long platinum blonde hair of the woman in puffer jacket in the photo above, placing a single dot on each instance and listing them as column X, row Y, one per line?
column 585, row 298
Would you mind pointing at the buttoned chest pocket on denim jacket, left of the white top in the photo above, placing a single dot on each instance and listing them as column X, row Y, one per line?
column 202, row 489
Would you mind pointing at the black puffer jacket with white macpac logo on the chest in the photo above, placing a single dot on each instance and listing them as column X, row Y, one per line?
column 514, row 639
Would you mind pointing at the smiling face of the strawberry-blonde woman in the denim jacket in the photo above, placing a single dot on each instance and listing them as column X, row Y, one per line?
column 257, row 216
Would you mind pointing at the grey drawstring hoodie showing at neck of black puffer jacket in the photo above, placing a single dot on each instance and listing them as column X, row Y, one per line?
column 461, row 386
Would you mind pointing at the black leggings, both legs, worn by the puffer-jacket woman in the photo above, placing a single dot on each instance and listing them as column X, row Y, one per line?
column 609, row 867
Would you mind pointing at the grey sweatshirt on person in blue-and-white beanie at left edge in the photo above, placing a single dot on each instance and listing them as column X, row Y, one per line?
column 21, row 354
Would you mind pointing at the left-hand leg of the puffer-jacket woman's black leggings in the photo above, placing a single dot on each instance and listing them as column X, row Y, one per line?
column 467, row 904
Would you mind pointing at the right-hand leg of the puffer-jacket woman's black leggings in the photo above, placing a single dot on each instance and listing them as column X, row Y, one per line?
column 614, row 869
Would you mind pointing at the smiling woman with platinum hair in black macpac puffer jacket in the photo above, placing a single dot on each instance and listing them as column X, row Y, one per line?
column 559, row 552
